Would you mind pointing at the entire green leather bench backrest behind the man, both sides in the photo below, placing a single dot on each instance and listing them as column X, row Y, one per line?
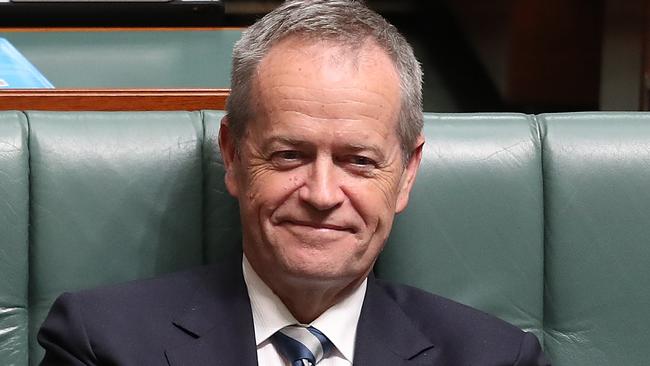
column 540, row 220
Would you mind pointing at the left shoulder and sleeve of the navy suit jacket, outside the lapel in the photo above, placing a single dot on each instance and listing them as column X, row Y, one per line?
column 128, row 323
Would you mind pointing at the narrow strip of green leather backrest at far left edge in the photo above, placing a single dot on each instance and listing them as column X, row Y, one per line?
column 14, row 216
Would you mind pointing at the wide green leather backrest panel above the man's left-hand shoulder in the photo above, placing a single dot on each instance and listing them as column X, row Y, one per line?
column 114, row 197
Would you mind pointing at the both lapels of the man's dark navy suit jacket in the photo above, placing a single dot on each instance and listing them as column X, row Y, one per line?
column 219, row 327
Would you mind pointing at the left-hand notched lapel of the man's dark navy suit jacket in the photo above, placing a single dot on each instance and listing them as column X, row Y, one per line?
column 218, row 323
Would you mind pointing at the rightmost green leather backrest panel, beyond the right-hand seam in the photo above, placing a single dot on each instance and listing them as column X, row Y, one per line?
column 597, row 188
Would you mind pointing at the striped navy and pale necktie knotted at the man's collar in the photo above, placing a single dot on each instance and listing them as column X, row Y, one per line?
column 302, row 346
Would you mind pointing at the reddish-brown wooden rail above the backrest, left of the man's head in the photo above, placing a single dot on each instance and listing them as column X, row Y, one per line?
column 113, row 99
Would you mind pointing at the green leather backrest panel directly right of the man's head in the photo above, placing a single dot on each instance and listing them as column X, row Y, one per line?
column 473, row 230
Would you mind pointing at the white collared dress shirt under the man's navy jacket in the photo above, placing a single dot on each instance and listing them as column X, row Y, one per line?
column 338, row 323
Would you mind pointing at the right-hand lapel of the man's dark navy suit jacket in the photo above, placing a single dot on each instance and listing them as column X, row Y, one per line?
column 387, row 336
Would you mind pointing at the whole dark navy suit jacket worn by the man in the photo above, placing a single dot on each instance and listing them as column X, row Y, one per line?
column 203, row 317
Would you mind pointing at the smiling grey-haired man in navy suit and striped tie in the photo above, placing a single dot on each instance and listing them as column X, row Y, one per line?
column 321, row 146
